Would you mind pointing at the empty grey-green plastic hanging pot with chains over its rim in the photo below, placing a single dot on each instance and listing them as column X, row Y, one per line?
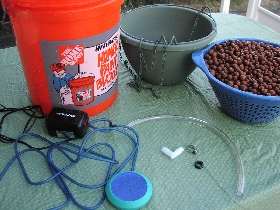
column 158, row 41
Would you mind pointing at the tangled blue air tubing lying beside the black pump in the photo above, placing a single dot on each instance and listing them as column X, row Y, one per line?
column 86, row 150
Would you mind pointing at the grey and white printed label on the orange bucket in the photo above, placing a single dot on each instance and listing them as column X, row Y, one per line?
column 82, row 73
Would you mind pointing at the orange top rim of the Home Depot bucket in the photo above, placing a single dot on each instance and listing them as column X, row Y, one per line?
column 54, row 4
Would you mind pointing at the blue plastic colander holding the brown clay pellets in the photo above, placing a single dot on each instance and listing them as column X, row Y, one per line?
column 241, row 105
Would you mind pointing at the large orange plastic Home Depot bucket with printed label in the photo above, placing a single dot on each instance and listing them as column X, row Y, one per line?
column 64, row 43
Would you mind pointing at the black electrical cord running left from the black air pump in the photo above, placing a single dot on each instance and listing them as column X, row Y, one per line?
column 34, row 113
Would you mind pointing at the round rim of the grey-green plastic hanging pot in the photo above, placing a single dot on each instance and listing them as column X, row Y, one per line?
column 171, row 47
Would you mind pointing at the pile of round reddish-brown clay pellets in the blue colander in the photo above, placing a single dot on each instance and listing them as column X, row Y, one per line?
column 246, row 65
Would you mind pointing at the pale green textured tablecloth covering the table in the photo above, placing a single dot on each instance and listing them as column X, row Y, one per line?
column 177, row 185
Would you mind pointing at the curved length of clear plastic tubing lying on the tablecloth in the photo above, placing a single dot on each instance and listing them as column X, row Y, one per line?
column 213, row 129
